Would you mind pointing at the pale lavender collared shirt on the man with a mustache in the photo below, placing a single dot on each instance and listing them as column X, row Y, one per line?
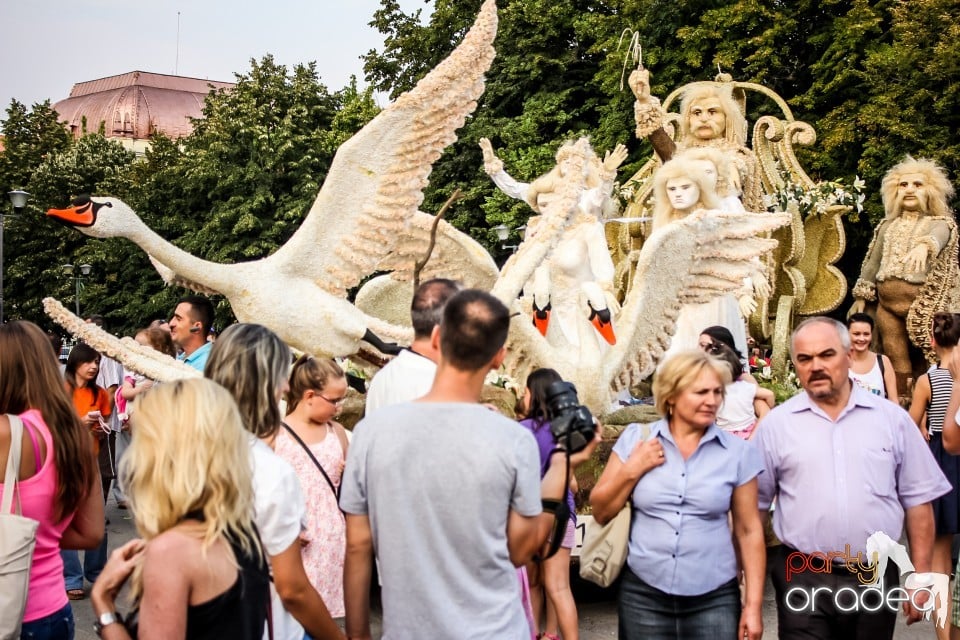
column 838, row 482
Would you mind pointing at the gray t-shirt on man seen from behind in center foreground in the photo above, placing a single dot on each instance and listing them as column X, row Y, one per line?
column 437, row 481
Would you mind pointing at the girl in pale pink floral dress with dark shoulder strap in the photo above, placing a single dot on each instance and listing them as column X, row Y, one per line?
column 318, row 388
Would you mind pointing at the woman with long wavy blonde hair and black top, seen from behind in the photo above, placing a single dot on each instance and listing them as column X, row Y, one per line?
column 198, row 571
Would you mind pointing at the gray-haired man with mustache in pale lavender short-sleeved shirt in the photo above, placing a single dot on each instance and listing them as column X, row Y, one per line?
column 843, row 464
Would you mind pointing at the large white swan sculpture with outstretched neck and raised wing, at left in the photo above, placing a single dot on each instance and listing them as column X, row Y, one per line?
column 366, row 207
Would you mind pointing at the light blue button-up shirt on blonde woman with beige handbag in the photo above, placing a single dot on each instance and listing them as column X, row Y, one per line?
column 680, row 541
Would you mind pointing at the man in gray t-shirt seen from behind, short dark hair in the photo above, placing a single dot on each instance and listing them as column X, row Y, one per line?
column 448, row 493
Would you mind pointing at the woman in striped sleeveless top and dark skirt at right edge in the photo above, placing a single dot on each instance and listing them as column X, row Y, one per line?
column 931, row 396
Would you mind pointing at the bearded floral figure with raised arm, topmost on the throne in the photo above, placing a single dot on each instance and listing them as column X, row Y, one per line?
column 709, row 117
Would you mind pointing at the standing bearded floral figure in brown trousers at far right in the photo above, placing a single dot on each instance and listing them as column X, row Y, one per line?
column 910, row 270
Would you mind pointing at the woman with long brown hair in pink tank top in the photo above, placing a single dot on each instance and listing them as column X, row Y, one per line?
column 55, row 446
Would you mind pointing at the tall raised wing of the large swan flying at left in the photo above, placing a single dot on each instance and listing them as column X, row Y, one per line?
column 376, row 181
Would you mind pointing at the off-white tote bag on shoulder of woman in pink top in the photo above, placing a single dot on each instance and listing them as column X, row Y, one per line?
column 17, row 538
